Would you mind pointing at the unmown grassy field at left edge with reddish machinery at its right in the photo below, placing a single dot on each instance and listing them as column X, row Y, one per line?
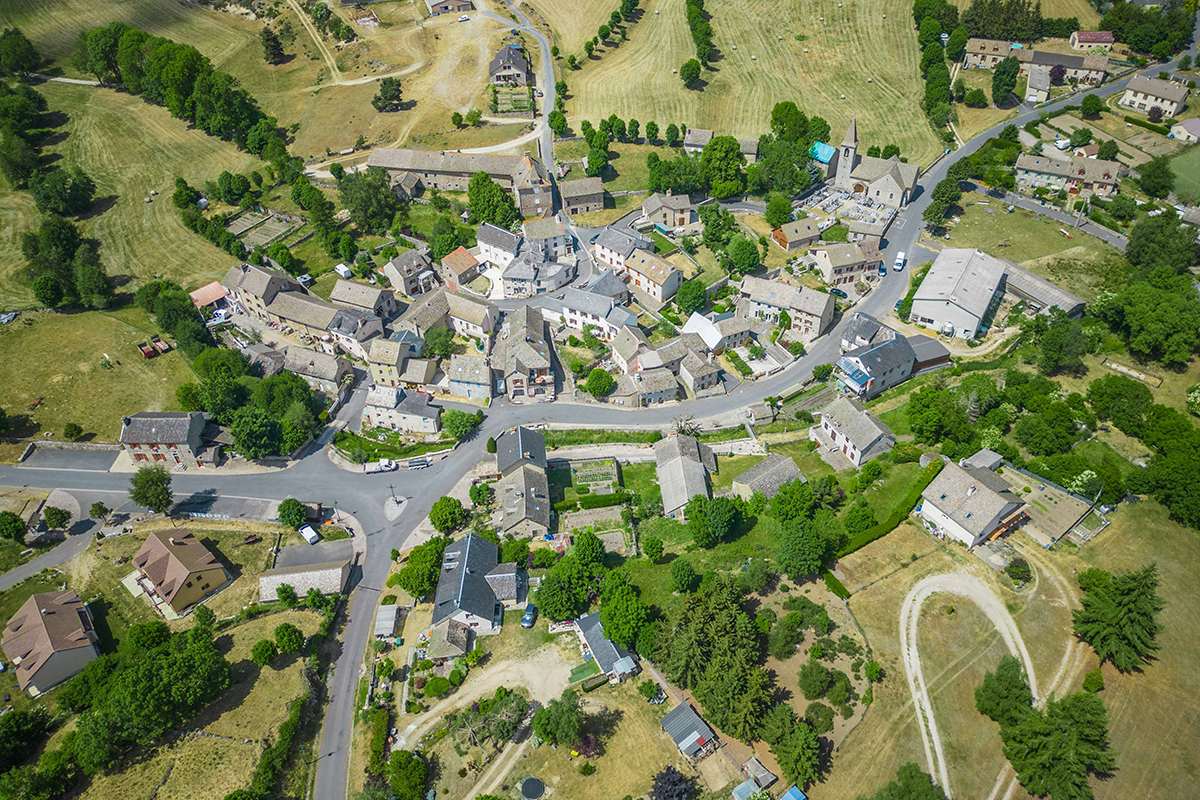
column 58, row 358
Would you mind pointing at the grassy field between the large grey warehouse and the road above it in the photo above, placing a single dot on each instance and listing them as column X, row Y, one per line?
column 1082, row 266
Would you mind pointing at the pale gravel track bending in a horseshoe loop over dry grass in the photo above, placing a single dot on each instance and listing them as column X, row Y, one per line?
column 977, row 592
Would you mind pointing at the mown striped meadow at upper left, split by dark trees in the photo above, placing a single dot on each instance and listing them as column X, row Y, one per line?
column 129, row 148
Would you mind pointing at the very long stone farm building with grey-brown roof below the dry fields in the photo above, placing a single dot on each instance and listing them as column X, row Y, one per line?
column 525, row 177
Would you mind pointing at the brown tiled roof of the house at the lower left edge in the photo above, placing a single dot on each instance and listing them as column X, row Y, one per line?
column 46, row 624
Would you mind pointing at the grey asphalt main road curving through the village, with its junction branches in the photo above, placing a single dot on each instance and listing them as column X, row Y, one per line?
column 315, row 478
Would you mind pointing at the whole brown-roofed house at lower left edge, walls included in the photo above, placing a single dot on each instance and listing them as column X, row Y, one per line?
column 51, row 639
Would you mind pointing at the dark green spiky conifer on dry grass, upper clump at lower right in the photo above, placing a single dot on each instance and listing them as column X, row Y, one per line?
column 1121, row 621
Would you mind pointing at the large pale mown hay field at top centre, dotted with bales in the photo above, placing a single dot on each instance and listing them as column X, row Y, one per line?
column 854, row 44
